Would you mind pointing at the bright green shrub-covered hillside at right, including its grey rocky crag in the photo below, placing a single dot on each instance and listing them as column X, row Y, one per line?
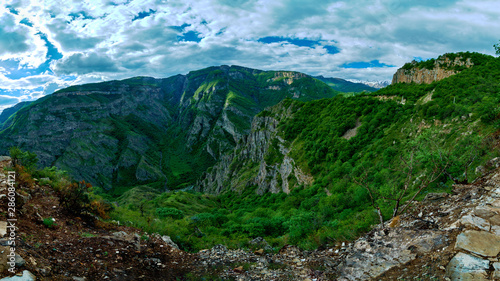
column 413, row 135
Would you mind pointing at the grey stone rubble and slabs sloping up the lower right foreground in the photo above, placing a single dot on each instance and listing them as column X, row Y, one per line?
column 444, row 237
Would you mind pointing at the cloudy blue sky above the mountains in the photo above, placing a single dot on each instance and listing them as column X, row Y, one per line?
column 49, row 45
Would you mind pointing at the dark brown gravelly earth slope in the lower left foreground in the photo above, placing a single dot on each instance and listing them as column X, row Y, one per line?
column 75, row 248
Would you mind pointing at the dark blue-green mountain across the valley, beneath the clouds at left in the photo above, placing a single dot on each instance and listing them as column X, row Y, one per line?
column 162, row 132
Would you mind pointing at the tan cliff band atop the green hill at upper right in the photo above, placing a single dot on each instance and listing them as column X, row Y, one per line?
column 442, row 68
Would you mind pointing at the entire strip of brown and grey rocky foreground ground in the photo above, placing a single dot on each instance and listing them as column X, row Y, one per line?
column 445, row 237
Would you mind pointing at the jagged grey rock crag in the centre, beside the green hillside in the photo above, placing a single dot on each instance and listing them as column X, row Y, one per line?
column 260, row 159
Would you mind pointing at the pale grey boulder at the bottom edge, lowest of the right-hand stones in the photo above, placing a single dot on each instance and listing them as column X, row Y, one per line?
column 466, row 267
